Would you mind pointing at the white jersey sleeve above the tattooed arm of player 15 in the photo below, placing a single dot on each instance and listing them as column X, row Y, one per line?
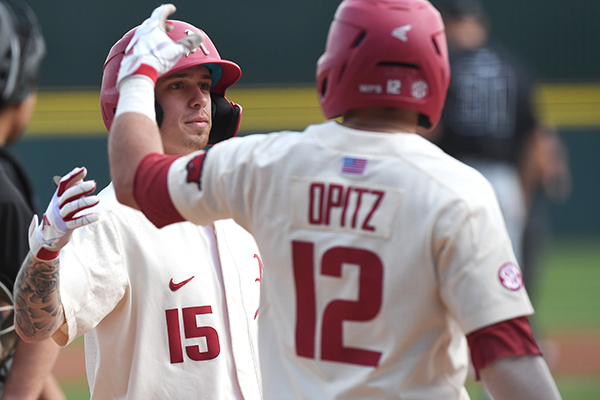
column 92, row 278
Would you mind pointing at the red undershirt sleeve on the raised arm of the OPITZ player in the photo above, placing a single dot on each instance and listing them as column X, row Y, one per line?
column 151, row 190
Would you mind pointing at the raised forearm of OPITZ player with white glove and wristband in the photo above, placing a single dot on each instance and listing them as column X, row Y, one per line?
column 134, row 132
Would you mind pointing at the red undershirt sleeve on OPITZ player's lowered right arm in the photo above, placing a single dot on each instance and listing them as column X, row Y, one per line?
column 507, row 338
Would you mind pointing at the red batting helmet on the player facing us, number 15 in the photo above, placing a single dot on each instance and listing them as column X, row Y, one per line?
column 226, row 115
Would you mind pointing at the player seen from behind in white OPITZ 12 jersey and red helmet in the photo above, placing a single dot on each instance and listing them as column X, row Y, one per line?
column 386, row 260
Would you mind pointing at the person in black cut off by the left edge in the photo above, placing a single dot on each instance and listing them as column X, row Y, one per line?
column 25, row 368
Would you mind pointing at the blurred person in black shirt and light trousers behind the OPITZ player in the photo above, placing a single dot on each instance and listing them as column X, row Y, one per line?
column 488, row 115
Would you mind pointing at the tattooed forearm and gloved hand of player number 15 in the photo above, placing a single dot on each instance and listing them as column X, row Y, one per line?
column 38, row 309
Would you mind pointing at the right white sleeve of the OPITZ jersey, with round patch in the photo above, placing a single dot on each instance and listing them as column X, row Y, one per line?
column 480, row 281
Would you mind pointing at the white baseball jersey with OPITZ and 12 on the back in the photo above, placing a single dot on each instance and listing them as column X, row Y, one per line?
column 380, row 251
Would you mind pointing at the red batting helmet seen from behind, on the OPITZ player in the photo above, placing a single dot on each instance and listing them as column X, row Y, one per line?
column 385, row 54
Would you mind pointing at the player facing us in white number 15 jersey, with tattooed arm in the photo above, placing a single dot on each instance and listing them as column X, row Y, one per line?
column 166, row 314
